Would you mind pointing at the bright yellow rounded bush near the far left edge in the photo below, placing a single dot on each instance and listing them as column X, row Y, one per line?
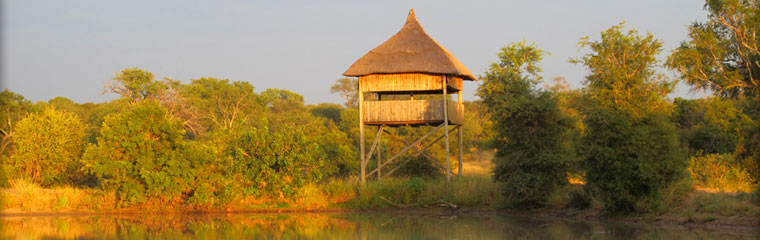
column 49, row 146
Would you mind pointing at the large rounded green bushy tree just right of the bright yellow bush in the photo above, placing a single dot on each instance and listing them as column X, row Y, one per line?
column 141, row 152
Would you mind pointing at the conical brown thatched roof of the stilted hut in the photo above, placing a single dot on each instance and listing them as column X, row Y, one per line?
column 411, row 50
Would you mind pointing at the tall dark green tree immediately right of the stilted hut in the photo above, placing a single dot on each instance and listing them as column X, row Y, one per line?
column 533, row 153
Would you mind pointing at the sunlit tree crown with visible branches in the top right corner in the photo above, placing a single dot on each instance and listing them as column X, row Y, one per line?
column 723, row 53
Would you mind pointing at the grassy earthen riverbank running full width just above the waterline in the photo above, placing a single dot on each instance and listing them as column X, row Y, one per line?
column 473, row 193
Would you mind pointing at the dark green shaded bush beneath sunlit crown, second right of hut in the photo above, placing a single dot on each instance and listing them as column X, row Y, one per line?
column 630, row 159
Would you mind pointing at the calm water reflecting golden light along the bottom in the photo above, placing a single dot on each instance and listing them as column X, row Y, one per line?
column 340, row 226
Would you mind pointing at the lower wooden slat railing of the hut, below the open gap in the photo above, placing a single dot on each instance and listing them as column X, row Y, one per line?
column 411, row 112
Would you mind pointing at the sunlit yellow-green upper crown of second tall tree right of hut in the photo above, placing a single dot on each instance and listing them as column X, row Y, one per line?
column 622, row 72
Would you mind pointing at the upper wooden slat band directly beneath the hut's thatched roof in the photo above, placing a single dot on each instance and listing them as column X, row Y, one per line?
column 406, row 82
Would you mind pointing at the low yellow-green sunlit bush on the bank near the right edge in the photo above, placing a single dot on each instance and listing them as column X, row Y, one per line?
column 720, row 171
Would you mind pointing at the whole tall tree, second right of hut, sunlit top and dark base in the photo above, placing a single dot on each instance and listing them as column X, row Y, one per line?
column 630, row 149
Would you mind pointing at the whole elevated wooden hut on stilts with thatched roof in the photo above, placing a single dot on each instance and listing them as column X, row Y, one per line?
column 409, row 63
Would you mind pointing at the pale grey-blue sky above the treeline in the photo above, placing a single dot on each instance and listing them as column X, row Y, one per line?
column 72, row 48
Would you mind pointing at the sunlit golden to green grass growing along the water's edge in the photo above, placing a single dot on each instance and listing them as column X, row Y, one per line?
column 475, row 189
